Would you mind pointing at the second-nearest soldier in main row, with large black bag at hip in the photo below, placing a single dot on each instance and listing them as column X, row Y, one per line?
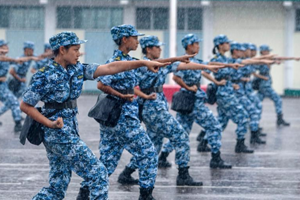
column 128, row 133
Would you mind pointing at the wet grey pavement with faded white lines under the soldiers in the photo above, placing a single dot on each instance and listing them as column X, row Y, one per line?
column 272, row 172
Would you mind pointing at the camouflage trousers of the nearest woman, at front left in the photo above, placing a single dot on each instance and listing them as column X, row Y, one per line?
column 77, row 157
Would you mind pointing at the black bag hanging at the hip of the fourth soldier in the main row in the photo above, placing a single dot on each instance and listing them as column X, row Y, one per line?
column 183, row 101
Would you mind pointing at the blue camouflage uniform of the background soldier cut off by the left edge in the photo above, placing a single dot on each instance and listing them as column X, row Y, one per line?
column 6, row 96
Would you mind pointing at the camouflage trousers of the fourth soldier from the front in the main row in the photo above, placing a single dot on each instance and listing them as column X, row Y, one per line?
column 203, row 116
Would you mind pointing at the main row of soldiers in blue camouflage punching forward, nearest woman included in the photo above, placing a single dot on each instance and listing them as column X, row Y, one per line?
column 120, row 114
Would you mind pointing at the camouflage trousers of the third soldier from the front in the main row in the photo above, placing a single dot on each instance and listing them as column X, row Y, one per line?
column 160, row 123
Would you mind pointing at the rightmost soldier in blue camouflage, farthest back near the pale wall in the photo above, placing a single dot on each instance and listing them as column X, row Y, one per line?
column 266, row 90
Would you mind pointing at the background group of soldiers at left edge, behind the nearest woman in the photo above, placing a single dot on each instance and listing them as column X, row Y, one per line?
column 13, row 86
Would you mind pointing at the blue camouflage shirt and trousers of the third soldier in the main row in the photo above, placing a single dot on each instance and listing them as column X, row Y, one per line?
column 157, row 118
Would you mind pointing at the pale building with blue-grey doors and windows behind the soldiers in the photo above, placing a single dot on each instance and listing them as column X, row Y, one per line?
column 276, row 23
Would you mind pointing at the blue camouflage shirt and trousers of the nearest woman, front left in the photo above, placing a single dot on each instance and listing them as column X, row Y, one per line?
column 65, row 150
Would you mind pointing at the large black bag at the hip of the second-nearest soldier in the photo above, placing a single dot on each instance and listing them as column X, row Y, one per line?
column 107, row 110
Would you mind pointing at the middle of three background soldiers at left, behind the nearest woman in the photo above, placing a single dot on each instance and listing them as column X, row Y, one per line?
column 19, row 71
